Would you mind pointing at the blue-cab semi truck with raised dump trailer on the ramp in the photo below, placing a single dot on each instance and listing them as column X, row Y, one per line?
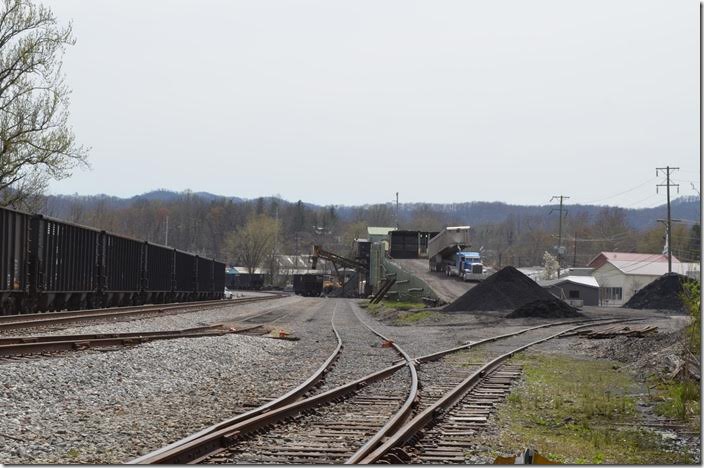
column 447, row 254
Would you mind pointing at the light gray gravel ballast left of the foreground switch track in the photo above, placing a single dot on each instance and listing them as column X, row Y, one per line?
column 110, row 407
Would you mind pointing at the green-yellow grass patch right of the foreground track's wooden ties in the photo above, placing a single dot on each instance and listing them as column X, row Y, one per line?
column 578, row 411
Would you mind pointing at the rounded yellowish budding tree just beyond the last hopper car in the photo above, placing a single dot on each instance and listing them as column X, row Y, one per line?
column 252, row 243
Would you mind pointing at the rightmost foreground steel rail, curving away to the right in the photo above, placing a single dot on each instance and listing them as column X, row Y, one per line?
column 453, row 397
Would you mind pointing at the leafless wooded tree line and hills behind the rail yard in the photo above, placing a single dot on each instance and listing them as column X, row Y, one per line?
column 232, row 229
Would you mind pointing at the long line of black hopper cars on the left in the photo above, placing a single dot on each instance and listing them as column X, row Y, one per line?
column 48, row 265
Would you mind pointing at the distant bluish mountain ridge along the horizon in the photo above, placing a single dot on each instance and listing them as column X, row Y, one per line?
column 473, row 213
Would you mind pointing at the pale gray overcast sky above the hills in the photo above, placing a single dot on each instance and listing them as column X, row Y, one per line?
column 349, row 102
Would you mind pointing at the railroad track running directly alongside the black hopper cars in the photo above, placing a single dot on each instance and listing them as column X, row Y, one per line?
column 8, row 322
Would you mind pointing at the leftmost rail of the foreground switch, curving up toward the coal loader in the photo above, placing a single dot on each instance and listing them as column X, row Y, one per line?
column 176, row 452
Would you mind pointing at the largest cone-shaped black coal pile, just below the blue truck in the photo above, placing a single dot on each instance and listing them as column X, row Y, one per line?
column 506, row 289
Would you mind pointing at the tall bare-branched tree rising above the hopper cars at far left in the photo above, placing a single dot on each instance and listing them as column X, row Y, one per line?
column 36, row 142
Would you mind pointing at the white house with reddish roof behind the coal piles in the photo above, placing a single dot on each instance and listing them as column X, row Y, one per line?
column 621, row 275
